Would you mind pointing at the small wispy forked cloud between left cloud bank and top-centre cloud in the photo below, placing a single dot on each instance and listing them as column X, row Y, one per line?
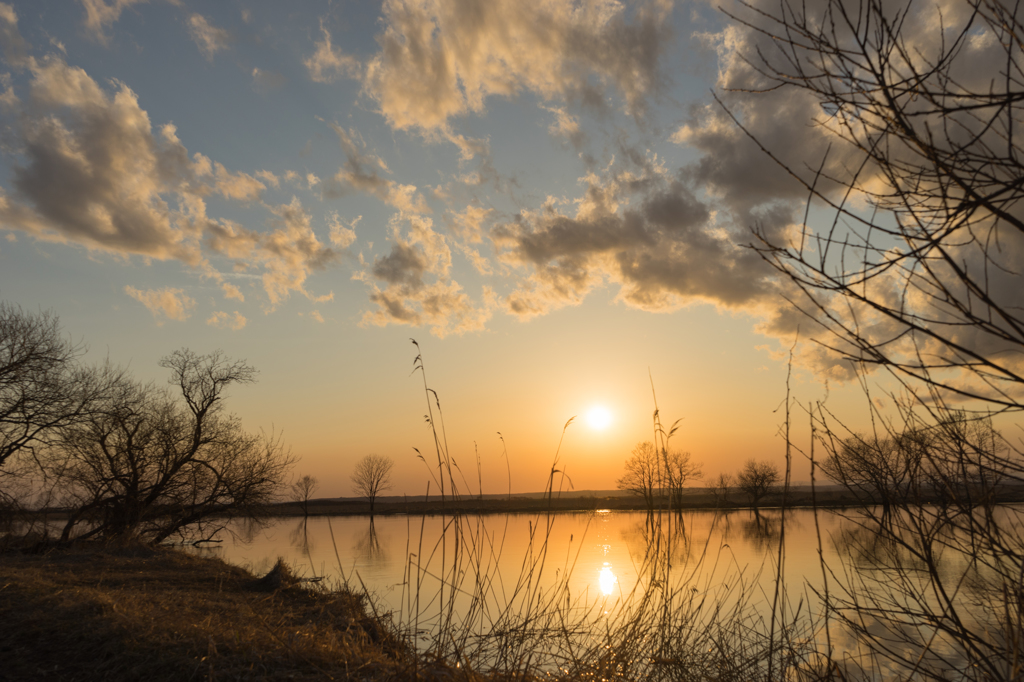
column 361, row 173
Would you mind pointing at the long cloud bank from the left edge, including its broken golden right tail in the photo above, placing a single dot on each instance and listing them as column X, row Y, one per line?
column 93, row 172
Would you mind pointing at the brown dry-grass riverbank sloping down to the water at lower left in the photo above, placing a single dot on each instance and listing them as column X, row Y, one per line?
column 157, row 614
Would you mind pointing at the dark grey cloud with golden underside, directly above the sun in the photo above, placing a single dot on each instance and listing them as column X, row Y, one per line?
column 645, row 231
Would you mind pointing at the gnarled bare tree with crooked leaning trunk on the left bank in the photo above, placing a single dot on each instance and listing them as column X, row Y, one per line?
column 146, row 464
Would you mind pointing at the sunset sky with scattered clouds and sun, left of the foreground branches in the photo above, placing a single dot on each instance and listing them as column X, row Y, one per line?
column 543, row 194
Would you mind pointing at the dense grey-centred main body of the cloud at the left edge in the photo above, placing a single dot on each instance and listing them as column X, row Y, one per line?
column 97, row 176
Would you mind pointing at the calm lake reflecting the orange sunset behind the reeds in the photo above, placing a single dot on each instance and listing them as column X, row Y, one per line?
column 505, row 589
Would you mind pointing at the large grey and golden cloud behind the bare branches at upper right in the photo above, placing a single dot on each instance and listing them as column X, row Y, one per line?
column 749, row 188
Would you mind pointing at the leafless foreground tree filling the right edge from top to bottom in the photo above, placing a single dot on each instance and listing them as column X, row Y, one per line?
column 917, row 269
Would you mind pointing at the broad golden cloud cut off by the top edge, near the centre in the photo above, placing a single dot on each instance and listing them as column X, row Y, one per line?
column 441, row 59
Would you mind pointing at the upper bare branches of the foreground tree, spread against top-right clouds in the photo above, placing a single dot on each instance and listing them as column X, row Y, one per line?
column 927, row 279
